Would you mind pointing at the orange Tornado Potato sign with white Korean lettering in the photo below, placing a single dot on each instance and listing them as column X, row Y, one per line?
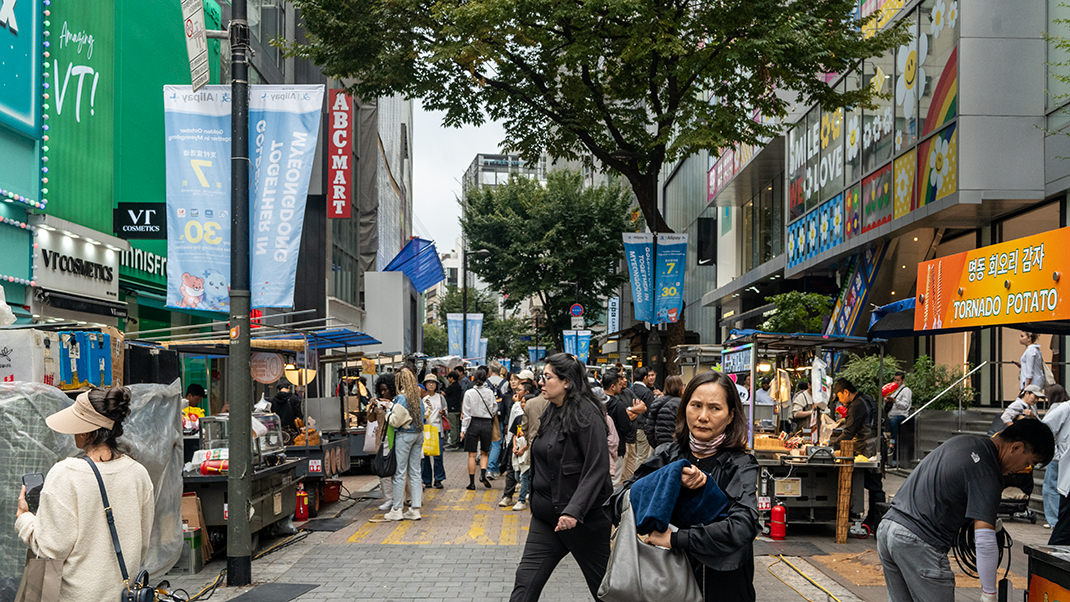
column 1019, row 281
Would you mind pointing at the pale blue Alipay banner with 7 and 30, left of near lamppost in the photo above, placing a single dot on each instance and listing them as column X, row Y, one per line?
column 197, row 156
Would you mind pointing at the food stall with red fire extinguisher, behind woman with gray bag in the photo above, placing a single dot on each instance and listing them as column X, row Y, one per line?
column 816, row 484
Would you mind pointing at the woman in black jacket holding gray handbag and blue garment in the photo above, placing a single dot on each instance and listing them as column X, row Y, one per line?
column 709, row 453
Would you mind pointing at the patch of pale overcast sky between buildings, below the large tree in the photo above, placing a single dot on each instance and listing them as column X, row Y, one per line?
column 441, row 156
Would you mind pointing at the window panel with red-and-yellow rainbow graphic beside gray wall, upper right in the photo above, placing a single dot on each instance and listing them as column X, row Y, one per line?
column 940, row 94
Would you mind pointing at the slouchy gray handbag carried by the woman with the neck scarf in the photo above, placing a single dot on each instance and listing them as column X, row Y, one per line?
column 641, row 573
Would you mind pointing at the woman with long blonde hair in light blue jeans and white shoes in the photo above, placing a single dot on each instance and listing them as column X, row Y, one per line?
column 408, row 449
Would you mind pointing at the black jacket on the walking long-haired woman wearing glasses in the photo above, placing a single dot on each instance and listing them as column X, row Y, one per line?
column 571, row 471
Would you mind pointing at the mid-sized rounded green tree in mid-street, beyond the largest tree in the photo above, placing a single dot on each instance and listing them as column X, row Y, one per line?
column 560, row 244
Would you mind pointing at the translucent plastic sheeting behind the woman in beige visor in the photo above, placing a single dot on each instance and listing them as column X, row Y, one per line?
column 152, row 437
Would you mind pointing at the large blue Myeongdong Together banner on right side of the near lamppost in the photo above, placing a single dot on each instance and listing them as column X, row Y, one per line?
column 284, row 125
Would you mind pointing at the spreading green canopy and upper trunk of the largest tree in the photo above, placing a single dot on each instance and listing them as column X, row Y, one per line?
column 632, row 84
